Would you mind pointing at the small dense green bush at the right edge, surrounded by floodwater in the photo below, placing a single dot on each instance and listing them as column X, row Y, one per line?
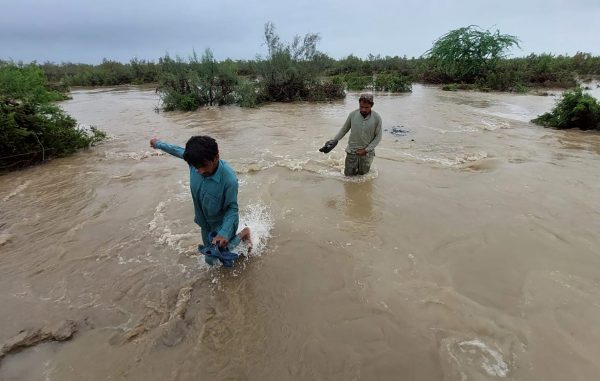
column 575, row 109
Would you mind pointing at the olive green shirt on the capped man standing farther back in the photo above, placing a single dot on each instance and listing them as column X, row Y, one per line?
column 364, row 132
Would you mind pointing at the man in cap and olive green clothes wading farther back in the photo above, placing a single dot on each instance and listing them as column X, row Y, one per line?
column 364, row 125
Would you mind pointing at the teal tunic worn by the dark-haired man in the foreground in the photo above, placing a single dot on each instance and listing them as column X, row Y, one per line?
column 215, row 198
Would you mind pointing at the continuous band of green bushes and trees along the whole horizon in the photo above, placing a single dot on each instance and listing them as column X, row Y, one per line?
column 468, row 58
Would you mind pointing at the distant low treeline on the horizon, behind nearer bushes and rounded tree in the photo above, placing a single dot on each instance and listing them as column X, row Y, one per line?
column 543, row 70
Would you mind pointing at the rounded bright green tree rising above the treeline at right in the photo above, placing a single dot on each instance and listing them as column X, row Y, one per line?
column 469, row 54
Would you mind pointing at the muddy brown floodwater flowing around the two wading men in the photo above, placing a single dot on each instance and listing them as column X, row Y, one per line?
column 470, row 252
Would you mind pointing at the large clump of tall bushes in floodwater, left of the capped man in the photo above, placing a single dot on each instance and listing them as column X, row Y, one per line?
column 290, row 72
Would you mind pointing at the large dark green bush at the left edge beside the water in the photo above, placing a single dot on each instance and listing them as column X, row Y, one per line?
column 32, row 128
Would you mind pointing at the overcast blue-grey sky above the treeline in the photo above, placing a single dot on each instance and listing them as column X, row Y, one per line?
column 89, row 30
